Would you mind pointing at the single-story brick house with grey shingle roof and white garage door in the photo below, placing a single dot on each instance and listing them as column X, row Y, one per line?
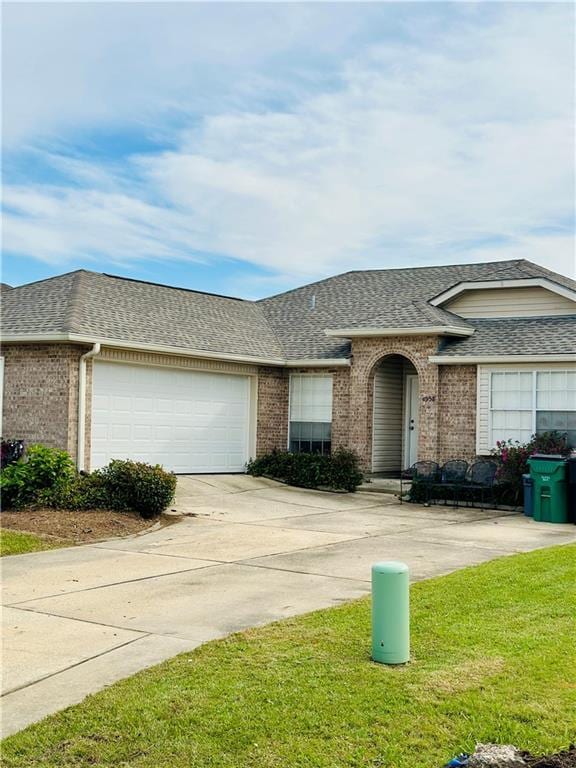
column 397, row 364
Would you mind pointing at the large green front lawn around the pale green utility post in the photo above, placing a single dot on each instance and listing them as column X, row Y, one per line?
column 494, row 660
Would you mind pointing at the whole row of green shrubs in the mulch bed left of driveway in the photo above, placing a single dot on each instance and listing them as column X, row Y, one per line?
column 47, row 477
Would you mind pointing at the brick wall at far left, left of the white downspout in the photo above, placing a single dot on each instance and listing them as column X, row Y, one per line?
column 41, row 394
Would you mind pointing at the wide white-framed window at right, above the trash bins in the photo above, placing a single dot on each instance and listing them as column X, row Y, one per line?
column 525, row 402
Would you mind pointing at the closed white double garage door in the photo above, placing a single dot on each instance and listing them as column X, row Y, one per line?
column 185, row 420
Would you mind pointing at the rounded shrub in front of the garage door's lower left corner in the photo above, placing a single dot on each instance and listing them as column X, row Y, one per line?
column 144, row 488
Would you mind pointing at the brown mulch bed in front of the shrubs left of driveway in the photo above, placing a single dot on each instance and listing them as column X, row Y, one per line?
column 72, row 526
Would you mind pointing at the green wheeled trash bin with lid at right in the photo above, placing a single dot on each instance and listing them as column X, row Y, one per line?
column 550, row 488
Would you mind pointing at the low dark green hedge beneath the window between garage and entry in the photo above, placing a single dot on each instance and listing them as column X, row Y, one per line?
column 338, row 471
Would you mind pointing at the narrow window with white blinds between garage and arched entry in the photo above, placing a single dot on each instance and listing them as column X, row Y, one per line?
column 310, row 414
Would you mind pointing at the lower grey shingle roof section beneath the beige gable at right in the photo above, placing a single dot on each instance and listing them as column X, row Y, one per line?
column 516, row 336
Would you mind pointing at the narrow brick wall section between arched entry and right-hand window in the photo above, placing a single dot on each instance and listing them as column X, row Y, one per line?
column 457, row 412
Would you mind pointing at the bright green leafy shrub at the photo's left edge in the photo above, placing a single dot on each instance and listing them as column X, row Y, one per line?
column 41, row 469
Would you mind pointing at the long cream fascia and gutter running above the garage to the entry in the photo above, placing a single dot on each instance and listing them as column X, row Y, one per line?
column 75, row 338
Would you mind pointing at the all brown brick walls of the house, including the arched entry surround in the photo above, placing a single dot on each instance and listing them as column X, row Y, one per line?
column 41, row 398
